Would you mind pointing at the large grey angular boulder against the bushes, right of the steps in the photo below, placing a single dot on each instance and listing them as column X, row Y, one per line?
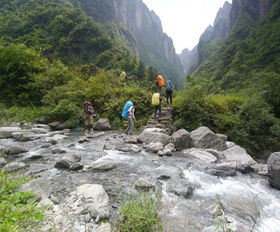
column 203, row 137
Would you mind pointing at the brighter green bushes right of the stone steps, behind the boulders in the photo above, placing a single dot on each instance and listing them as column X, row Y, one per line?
column 247, row 120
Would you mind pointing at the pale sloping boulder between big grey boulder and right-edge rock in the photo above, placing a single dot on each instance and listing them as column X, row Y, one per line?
column 243, row 160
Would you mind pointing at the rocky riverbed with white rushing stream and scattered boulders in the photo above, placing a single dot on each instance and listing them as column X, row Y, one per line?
column 85, row 179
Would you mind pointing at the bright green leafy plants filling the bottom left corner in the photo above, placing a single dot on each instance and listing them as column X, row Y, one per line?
column 18, row 211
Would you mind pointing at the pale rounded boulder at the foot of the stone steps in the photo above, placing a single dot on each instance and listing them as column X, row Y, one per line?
column 150, row 135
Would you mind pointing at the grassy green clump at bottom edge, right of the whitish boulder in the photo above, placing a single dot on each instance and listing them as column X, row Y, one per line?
column 140, row 215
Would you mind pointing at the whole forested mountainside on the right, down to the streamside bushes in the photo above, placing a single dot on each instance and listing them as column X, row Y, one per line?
column 236, row 90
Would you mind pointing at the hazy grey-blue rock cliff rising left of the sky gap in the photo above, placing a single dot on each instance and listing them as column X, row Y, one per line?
column 155, row 47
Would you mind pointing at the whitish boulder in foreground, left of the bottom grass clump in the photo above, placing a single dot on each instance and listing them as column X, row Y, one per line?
column 96, row 200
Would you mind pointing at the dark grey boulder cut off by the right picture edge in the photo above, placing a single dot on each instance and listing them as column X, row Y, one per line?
column 273, row 163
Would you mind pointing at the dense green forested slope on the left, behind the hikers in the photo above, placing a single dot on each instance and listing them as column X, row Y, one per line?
column 53, row 58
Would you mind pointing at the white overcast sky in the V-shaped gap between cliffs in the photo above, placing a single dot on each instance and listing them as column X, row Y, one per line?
column 185, row 20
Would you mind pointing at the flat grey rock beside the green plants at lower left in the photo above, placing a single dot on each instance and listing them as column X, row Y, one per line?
column 40, row 187
